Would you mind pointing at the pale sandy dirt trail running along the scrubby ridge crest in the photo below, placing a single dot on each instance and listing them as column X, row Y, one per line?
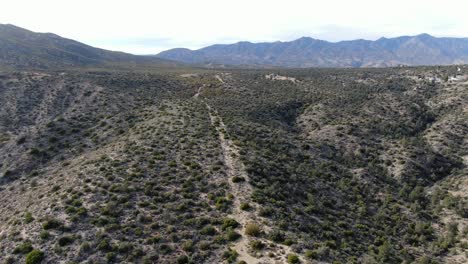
column 242, row 194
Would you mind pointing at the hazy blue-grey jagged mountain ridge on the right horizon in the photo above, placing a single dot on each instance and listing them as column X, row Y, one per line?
column 304, row 52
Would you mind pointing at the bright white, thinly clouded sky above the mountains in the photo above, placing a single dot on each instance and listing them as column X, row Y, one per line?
column 148, row 27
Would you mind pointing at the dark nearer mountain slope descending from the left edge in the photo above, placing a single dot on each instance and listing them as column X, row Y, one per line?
column 21, row 48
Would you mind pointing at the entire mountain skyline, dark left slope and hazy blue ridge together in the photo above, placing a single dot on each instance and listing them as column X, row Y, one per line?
column 21, row 48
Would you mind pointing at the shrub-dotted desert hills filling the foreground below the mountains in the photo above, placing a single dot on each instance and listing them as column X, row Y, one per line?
column 342, row 166
